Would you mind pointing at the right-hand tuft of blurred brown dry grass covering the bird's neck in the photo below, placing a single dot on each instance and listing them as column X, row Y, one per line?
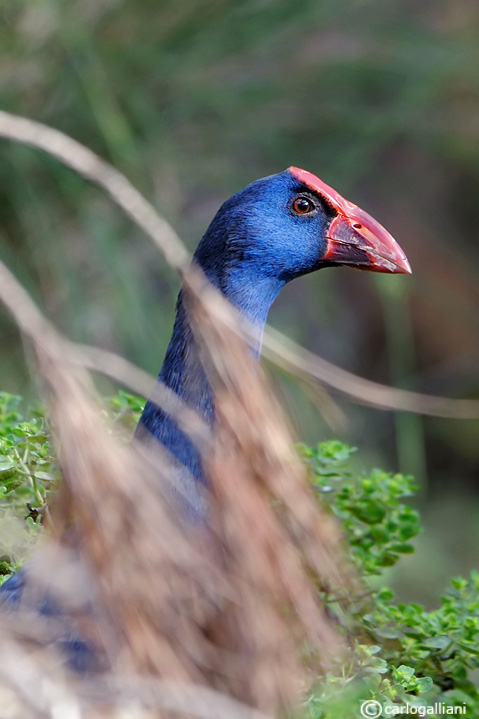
column 279, row 546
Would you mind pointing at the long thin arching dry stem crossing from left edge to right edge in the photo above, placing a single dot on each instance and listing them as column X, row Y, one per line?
column 281, row 350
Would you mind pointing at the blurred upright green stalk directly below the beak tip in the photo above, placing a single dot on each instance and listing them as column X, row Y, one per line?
column 409, row 430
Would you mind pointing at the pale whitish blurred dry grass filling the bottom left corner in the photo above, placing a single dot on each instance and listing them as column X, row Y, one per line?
column 27, row 693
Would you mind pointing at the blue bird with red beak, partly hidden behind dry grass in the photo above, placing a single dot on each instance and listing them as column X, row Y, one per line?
column 271, row 232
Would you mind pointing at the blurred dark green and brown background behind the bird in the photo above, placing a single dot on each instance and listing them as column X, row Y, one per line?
column 193, row 100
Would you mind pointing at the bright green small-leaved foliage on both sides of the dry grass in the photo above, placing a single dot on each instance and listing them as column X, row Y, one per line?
column 402, row 655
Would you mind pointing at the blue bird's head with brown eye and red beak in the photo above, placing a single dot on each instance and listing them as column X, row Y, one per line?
column 293, row 223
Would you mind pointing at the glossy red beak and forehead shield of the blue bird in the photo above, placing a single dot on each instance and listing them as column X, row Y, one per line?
column 354, row 237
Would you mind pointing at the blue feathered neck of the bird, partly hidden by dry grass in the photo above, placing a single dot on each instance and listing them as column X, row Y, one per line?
column 182, row 371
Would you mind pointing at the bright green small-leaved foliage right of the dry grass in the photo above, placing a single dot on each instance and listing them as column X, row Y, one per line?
column 402, row 655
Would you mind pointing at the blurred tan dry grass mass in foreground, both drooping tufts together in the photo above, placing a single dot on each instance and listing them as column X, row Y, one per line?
column 228, row 605
